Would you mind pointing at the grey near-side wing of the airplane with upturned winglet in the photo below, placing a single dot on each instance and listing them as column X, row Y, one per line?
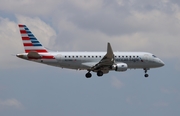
column 106, row 61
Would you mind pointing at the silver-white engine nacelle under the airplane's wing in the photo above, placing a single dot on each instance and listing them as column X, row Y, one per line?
column 120, row 67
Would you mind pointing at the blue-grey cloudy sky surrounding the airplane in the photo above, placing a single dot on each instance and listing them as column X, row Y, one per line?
column 31, row 89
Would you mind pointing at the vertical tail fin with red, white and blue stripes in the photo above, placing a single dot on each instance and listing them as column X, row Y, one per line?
column 30, row 42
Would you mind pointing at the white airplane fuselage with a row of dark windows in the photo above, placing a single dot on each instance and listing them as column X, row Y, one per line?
column 85, row 60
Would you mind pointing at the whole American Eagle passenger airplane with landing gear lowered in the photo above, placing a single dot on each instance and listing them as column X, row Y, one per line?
column 99, row 62
